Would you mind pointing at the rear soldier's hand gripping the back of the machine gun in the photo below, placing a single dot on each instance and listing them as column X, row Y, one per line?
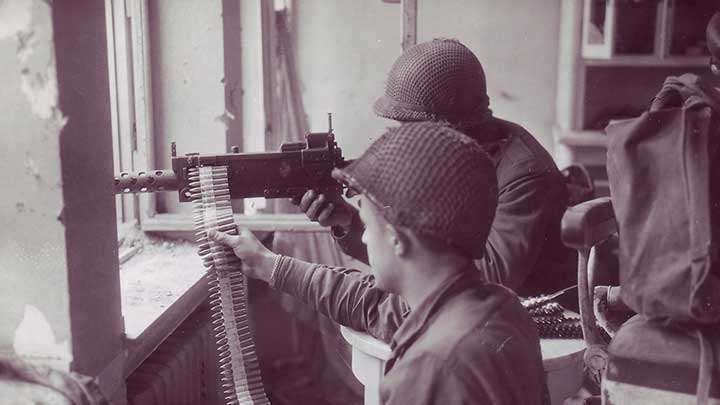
column 326, row 210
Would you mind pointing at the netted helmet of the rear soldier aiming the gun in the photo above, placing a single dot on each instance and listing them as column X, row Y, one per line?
column 439, row 80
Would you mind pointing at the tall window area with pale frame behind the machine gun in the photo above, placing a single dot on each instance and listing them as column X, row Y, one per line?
column 190, row 75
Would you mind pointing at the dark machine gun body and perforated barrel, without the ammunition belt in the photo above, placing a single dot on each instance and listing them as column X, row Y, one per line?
column 296, row 168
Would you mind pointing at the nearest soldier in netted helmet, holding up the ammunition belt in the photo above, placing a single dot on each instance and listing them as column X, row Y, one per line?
column 427, row 198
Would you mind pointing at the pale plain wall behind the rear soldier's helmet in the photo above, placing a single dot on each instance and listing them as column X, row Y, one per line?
column 346, row 48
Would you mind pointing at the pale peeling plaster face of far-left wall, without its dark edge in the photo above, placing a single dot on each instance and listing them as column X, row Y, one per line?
column 32, row 239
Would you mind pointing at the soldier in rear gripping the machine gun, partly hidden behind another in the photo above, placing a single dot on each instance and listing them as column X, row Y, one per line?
column 442, row 80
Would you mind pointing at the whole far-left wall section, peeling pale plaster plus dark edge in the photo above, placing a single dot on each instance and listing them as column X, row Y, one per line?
column 58, row 245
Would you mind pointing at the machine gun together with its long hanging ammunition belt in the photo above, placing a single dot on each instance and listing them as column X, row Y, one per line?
column 210, row 182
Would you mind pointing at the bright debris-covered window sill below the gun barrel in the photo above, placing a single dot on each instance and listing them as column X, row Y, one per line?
column 160, row 287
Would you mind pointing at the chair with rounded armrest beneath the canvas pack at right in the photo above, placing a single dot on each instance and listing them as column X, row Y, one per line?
column 664, row 368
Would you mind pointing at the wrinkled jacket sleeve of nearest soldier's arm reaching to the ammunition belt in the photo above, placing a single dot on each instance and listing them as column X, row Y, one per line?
column 346, row 296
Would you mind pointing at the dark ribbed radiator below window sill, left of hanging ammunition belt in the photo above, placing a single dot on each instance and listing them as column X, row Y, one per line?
column 183, row 369
